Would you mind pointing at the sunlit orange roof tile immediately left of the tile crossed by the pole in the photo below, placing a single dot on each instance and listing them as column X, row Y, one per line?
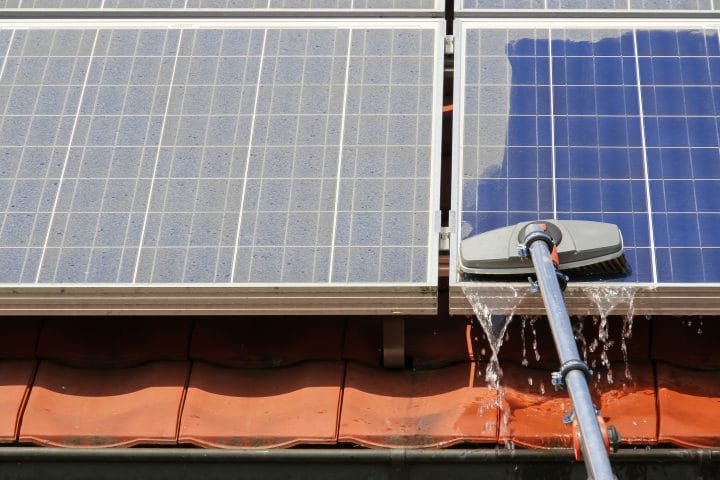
column 434, row 408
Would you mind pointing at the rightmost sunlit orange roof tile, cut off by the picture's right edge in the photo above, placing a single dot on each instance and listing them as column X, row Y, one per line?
column 688, row 403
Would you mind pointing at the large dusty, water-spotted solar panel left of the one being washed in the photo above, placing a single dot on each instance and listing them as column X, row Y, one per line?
column 252, row 154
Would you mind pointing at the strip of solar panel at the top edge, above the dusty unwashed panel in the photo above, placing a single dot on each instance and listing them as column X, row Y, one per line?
column 248, row 5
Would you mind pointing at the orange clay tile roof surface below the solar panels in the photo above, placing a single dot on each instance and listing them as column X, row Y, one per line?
column 266, row 382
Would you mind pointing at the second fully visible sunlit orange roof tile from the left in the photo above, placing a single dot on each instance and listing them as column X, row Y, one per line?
column 234, row 408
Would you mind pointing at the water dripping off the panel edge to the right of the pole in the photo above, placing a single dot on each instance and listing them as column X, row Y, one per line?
column 607, row 299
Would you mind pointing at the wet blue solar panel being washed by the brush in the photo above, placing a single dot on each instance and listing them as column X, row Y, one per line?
column 613, row 126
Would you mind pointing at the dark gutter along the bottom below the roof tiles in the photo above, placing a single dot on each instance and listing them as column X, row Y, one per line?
column 326, row 463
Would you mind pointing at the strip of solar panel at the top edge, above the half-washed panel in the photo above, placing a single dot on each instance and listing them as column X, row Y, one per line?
column 627, row 5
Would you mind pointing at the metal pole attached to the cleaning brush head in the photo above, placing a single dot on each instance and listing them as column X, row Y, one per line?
column 593, row 445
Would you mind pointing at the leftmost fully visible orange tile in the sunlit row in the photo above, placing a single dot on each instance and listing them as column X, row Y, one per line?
column 76, row 407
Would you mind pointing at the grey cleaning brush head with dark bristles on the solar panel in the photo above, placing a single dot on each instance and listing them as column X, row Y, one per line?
column 584, row 248
